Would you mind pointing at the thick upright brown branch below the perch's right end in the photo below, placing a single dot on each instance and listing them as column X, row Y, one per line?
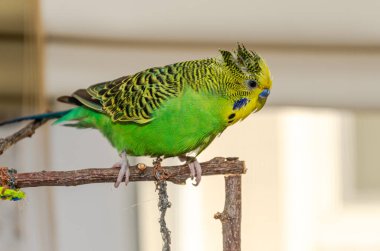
column 231, row 215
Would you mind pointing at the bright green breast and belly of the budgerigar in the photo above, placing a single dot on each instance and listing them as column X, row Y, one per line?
column 182, row 124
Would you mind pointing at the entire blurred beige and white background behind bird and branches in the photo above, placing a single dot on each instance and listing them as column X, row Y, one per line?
column 313, row 180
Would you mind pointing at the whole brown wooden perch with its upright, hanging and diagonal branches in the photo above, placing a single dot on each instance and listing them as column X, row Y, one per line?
column 232, row 168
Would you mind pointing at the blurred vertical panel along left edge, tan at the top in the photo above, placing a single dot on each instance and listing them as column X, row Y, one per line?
column 22, row 92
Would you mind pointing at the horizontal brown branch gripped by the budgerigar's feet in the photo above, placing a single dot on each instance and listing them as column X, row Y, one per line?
column 176, row 174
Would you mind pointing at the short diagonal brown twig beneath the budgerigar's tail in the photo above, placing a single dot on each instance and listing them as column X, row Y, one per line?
column 24, row 132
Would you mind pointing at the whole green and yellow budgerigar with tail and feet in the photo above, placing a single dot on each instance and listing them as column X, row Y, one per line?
column 171, row 110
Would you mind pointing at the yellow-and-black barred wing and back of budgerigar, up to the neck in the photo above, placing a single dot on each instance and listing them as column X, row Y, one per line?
column 136, row 97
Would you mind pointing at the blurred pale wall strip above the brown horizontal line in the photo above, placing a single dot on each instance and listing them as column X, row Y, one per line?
column 325, row 22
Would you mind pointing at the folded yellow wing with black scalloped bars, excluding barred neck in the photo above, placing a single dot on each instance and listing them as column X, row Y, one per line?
column 134, row 98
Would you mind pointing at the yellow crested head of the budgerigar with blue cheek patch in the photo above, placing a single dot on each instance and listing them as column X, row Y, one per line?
column 250, row 77
